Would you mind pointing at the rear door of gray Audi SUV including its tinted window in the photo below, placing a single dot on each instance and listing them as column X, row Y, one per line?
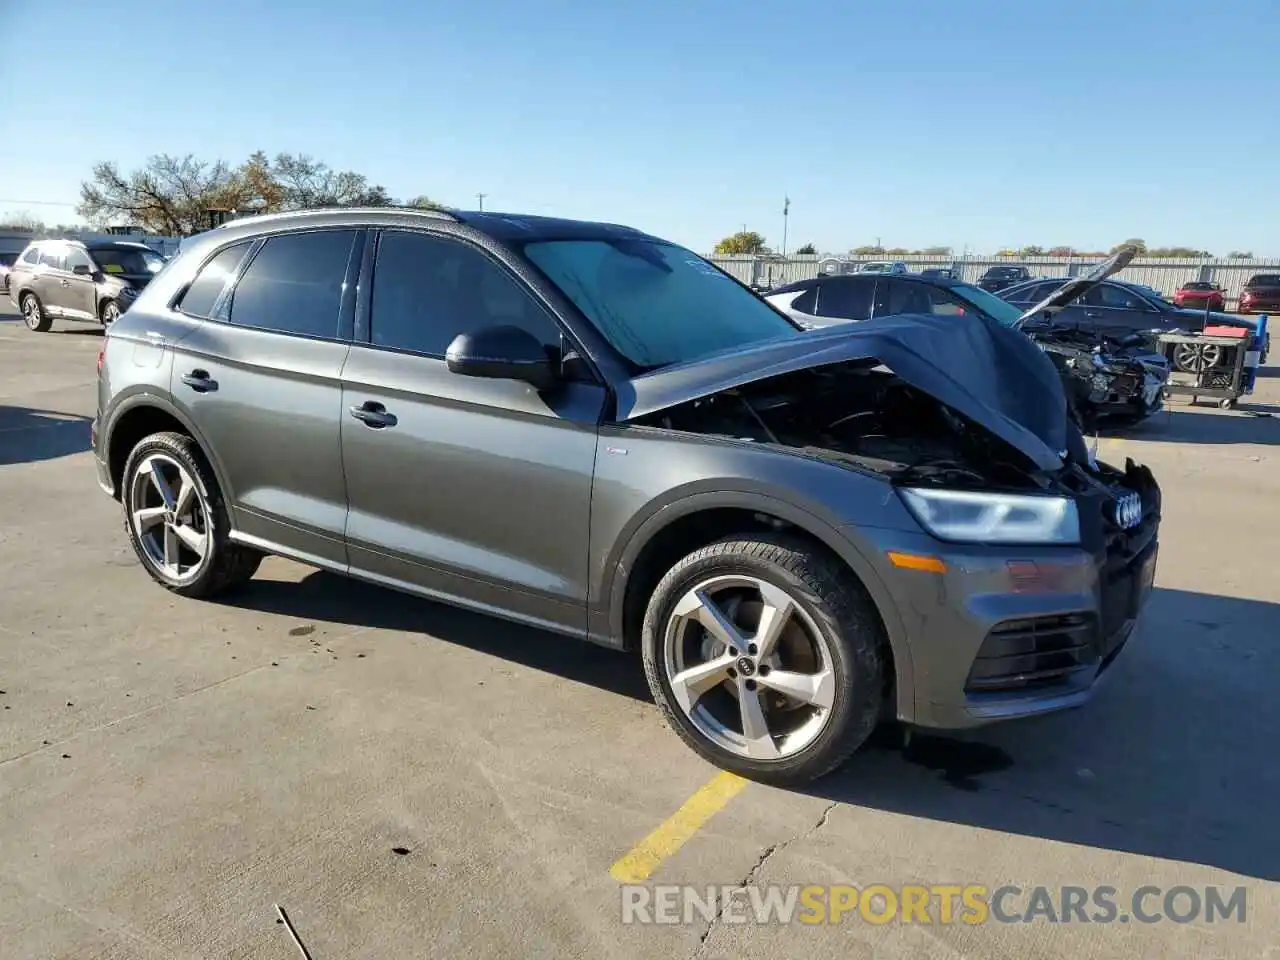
column 260, row 380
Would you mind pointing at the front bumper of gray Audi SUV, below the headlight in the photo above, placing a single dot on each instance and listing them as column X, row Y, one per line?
column 1009, row 632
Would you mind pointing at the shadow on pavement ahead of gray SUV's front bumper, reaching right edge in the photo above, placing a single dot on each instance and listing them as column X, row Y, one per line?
column 1174, row 758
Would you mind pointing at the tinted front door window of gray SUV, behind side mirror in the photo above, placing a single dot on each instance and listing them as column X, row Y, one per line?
column 427, row 291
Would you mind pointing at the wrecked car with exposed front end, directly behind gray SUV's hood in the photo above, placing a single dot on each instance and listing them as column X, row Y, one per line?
column 1104, row 377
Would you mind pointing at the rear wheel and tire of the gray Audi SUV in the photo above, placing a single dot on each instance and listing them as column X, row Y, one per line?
column 177, row 520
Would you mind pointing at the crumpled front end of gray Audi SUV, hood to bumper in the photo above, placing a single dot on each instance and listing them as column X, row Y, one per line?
column 1018, row 563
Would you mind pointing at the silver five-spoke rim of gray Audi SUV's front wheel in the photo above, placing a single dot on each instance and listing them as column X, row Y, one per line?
column 749, row 668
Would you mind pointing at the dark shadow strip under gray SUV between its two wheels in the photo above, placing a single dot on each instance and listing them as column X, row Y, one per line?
column 337, row 600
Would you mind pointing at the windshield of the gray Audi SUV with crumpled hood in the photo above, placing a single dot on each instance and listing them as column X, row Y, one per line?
column 655, row 303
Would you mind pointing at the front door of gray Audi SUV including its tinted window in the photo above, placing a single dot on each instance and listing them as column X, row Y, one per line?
column 474, row 491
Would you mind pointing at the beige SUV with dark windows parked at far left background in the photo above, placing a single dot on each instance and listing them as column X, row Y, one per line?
column 76, row 281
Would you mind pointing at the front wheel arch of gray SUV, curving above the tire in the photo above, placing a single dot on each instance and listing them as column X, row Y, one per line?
column 688, row 525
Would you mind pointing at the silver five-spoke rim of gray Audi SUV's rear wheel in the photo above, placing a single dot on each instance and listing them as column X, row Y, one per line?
column 170, row 518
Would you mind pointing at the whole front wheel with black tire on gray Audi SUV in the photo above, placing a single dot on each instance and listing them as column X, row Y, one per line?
column 766, row 659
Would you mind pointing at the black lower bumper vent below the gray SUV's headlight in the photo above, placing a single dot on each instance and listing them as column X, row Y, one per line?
column 1036, row 652
